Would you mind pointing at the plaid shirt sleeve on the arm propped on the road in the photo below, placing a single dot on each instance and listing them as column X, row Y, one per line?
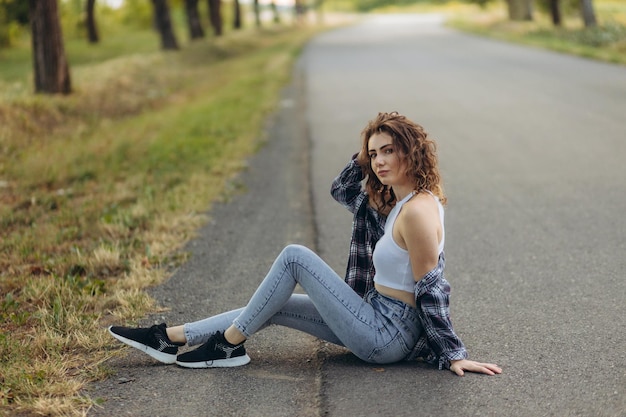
column 432, row 294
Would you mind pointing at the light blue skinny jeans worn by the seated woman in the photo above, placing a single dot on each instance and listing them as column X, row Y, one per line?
column 376, row 328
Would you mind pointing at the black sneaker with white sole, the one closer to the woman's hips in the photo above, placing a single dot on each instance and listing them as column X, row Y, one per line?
column 215, row 353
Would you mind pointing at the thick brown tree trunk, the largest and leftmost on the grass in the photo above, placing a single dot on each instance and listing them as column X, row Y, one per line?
column 52, row 73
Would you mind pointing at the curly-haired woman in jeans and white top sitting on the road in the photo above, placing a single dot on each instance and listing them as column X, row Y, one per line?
column 405, row 315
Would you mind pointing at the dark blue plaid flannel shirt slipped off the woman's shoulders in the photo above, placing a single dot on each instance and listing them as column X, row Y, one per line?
column 438, row 343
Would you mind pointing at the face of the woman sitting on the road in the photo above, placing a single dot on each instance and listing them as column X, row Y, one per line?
column 385, row 160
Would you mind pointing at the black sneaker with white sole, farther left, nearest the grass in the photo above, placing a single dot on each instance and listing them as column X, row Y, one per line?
column 151, row 340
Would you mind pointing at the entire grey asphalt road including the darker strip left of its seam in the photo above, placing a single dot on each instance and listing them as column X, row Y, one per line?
column 532, row 147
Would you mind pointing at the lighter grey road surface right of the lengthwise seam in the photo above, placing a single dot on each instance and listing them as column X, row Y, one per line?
column 533, row 150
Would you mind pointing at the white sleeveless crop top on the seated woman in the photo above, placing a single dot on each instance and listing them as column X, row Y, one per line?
column 392, row 263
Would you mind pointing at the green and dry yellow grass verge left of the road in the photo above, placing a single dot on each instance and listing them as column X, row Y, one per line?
column 100, row 189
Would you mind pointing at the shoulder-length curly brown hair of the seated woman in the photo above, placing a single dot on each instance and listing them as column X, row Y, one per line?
column 411, row 142
